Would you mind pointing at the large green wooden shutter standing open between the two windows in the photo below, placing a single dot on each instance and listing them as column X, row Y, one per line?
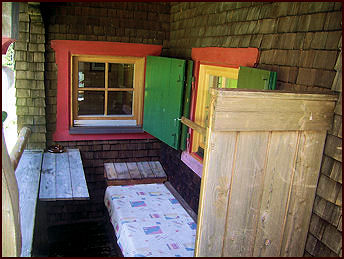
column 164, row 88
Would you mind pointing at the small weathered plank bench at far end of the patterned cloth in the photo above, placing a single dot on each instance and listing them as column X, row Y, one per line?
column 134, row 173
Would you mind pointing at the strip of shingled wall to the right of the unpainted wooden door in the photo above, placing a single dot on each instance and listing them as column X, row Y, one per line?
column 325, row 231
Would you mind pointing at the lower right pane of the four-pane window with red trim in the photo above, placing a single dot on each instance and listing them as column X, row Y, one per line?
column 120, row 103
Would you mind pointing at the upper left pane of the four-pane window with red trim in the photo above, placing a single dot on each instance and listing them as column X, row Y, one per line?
column 91, row 75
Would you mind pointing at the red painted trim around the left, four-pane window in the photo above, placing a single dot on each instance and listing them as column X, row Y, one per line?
column 63, row 51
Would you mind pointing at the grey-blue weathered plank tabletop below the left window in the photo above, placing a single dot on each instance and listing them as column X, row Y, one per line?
column 63, row 177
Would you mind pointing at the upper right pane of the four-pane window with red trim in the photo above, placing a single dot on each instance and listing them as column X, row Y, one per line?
column 121, row 75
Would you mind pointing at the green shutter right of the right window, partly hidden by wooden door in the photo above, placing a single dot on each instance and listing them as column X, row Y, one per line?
column 253, row 78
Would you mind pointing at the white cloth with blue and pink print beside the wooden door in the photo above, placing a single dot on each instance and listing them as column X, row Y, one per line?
column 149, row 221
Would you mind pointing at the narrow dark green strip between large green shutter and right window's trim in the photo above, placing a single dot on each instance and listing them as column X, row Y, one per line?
column 186, row 104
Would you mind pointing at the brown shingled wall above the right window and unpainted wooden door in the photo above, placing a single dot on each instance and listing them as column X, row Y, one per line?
column 297, row 40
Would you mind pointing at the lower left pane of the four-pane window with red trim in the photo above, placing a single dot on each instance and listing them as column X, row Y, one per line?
column 91, row 103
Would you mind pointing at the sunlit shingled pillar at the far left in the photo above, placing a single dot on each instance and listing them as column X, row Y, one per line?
column 29, row 73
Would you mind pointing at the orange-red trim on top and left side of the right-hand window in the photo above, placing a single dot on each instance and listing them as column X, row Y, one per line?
column 225, row 57
